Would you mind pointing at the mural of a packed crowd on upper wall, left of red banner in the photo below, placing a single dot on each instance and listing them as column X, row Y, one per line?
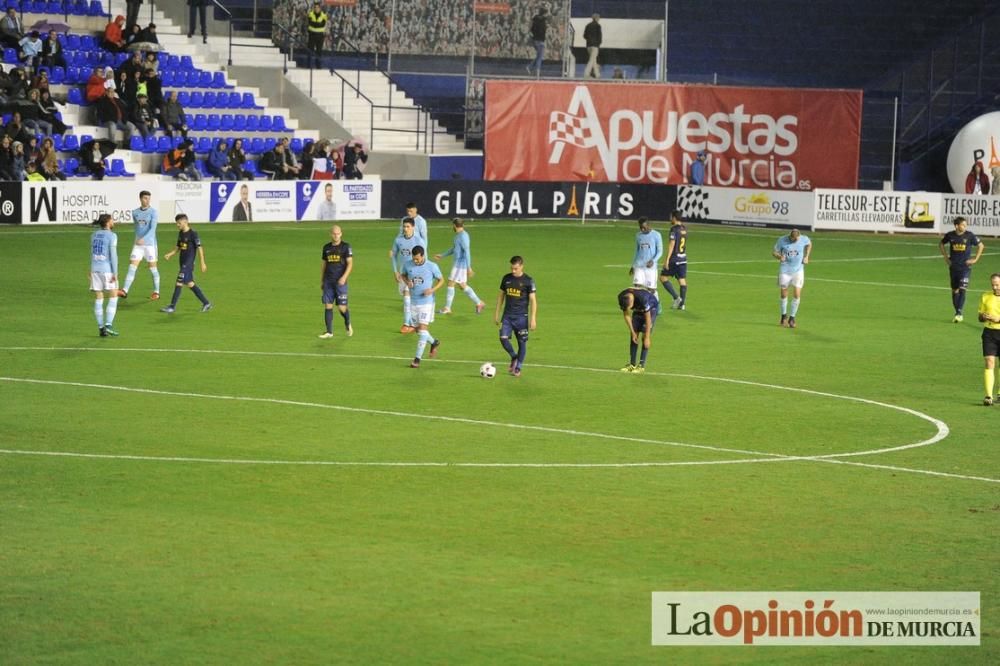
column 429, row 28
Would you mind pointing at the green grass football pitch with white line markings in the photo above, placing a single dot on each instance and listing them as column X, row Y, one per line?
column 225, row 487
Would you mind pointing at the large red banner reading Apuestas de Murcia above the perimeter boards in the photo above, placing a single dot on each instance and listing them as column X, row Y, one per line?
column 775, row 138
